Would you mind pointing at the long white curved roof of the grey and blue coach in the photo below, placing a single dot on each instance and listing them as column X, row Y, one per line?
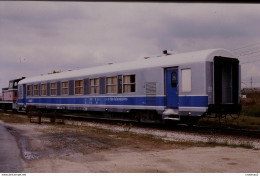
column 163, row 61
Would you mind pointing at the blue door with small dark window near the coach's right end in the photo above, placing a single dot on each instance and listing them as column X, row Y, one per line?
column 172, row 88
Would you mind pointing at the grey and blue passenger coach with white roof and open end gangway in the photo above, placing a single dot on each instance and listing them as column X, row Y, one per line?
column 174, row 86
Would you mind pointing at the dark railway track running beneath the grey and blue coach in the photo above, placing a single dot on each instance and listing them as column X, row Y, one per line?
column 254, row 134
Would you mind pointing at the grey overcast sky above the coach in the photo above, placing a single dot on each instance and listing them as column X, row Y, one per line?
column 39, row 37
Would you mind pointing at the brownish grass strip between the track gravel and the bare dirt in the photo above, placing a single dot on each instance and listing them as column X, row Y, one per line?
column 114, row 139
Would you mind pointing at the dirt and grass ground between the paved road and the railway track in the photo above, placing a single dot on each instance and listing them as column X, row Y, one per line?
column 96, row 147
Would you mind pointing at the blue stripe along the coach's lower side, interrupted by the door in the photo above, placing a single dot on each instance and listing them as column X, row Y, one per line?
column 184, row 101
